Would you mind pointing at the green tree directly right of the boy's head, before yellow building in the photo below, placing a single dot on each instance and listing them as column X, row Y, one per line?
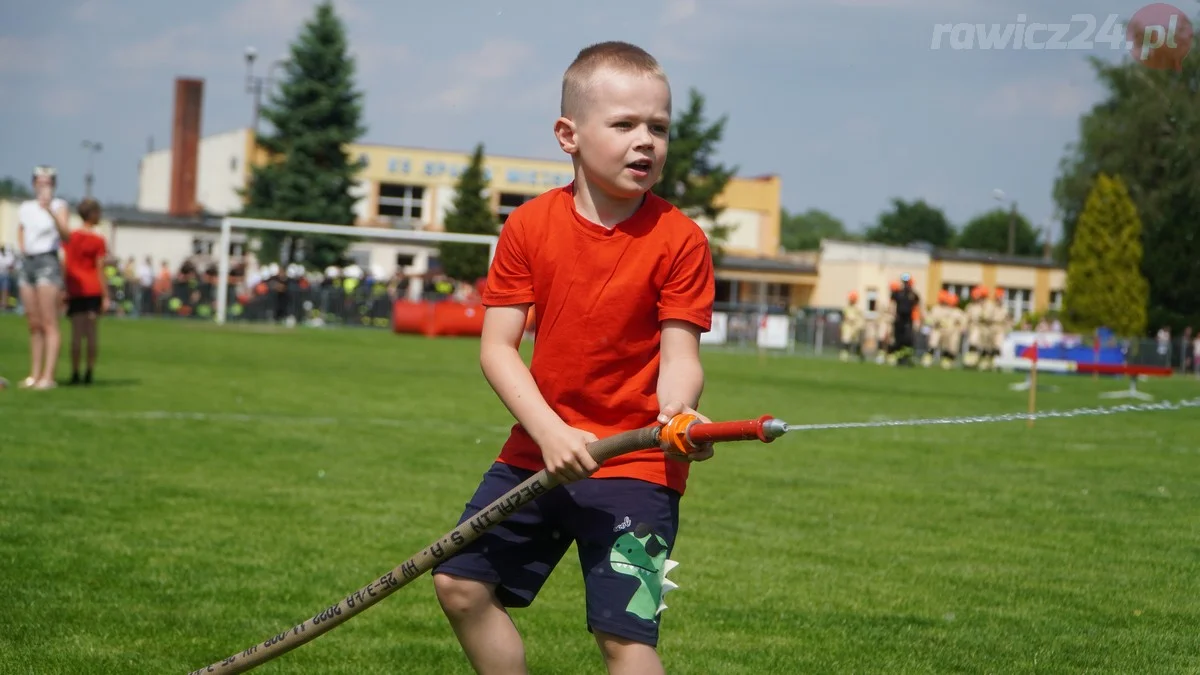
column 692, row 178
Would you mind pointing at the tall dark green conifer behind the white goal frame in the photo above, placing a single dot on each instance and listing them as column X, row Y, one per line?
column 315, row 117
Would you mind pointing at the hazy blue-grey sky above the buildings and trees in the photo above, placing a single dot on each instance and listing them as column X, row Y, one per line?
column 845, row 100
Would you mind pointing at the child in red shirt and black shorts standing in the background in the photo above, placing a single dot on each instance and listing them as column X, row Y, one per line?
column 87, row 289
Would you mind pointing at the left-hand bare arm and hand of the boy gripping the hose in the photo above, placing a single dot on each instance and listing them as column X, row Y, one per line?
column 563, row 447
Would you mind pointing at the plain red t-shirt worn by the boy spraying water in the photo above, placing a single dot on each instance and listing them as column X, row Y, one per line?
column 601, row 298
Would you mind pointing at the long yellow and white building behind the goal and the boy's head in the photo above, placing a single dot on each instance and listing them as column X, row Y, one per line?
column 410, row 188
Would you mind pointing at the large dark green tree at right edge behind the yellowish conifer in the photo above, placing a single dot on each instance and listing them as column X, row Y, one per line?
column 1147, row 129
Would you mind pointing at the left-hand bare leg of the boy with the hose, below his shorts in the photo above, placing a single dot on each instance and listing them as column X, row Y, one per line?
column 483, row 626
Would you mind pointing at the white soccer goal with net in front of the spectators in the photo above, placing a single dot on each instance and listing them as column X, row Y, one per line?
column 380, row 267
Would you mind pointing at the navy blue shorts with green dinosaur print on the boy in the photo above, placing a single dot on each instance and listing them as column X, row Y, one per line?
column 625, row 531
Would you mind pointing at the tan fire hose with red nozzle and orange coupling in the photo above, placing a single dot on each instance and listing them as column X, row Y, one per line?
column 681, row 437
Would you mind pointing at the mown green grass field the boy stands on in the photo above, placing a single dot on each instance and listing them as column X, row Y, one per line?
column 219, row 486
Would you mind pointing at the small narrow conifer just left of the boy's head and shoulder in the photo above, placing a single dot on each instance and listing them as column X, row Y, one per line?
column 471, row 214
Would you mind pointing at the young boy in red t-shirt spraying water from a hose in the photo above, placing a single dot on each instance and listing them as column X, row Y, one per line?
column 622, row 284
